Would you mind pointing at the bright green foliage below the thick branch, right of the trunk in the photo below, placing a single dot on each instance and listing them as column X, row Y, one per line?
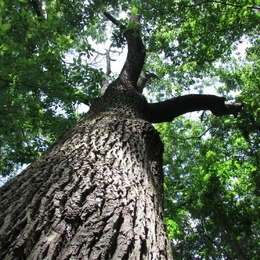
column 212, row 173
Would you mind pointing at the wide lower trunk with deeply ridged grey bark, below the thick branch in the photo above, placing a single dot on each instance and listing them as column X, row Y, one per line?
column 97, row 194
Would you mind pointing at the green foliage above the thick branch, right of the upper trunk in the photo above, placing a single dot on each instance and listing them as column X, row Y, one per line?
column 186, row 37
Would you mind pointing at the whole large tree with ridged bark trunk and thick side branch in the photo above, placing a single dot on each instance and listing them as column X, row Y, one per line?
column 97, row 193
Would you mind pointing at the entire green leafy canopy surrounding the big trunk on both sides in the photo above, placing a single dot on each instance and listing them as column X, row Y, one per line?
column 48, row 64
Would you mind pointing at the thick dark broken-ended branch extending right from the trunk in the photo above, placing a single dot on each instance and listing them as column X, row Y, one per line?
column 167, row 110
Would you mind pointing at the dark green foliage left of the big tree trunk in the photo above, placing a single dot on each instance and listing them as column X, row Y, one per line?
column 39, row 85
